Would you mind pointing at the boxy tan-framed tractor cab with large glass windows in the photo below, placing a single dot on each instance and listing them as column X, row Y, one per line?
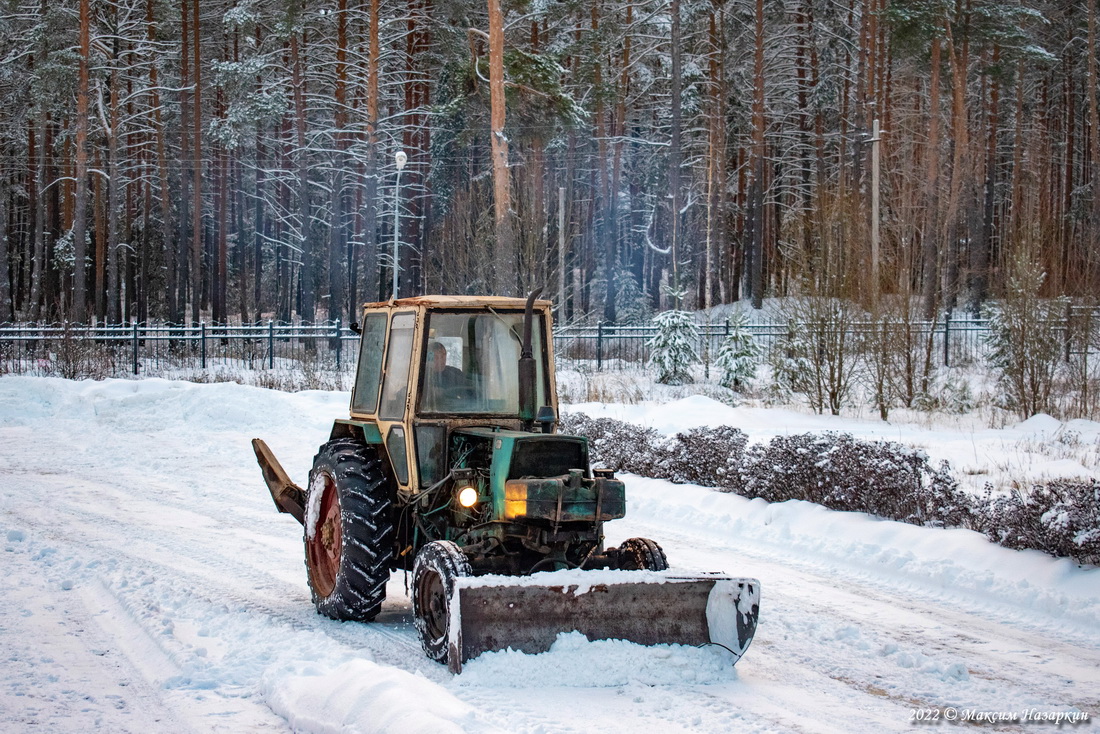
column 435, row 364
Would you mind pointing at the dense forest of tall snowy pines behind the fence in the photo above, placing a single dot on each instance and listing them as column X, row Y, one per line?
column 179, row 160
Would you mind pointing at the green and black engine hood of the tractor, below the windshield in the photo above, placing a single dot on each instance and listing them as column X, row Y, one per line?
column 538, row 478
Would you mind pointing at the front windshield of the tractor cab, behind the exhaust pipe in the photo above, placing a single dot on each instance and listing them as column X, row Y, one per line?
column 471, row 363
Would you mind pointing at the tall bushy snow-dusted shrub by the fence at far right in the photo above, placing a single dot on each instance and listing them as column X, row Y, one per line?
column 1026, row 343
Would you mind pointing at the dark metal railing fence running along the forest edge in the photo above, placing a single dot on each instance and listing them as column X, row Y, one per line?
column 73, row 350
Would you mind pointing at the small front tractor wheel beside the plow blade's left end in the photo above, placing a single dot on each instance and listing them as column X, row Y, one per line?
column 437, row 566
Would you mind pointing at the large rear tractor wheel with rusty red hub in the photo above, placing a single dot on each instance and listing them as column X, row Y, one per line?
column 349, row 531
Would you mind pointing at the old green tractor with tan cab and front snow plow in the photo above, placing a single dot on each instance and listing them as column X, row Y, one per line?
column 449, row 467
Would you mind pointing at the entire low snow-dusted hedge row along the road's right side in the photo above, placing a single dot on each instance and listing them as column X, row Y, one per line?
column 1061, row 518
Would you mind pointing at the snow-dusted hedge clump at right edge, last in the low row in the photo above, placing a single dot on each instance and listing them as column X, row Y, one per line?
column 1061, row 518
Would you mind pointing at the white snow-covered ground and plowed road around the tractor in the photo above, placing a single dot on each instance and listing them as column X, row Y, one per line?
column 149, row 586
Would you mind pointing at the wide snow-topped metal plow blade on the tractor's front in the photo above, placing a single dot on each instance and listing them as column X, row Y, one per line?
column 497, row 614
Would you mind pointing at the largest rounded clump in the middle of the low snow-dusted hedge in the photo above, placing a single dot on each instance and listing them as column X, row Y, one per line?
column 842, row 473
